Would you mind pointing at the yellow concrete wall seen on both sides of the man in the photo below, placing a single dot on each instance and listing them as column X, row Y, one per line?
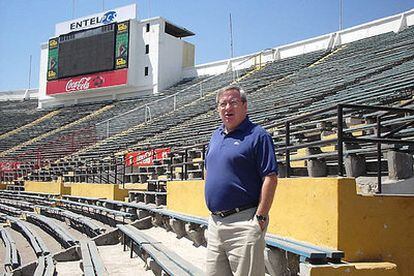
column 328, row 212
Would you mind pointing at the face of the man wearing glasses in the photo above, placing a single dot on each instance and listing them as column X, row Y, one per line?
column 231, row 109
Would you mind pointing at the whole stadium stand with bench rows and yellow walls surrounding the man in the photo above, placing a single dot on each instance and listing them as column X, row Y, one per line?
column 343, row 112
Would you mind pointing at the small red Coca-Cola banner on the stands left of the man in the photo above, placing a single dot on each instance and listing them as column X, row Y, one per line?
column 146, row 158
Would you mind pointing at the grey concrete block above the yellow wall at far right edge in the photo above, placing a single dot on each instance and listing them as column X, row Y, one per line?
column 400, row 165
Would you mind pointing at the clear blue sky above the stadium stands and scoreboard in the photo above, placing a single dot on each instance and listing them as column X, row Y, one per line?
column 257, row 25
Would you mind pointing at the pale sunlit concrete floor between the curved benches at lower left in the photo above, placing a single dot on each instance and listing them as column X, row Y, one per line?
column 116, row 261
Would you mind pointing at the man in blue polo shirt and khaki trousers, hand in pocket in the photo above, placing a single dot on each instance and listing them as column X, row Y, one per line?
column 241, row 179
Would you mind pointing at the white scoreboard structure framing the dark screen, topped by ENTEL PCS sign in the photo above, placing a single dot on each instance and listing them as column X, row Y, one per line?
column 156, row 59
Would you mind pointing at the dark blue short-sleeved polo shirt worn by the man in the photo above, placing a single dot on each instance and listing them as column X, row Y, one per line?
column 236, row 164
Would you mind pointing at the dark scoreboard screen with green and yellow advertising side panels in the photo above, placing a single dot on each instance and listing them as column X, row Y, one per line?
column 89, row 51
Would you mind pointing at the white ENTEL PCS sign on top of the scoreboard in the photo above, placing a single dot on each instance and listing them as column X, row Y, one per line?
column 96, row 20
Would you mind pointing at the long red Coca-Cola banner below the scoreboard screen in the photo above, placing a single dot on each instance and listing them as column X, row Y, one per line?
column 87, row 82
